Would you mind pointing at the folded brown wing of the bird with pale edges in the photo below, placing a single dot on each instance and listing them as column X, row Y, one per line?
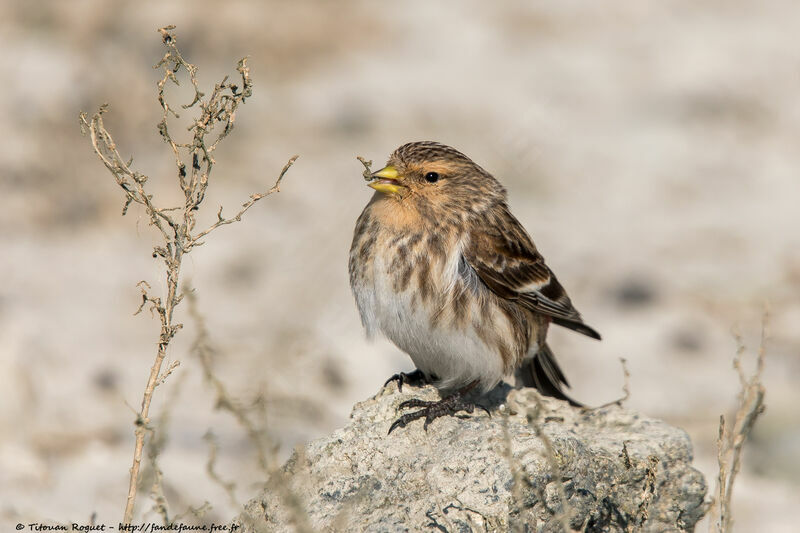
column 506, row 260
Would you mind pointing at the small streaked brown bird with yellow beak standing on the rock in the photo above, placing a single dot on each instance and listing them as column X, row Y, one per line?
column 441, row 267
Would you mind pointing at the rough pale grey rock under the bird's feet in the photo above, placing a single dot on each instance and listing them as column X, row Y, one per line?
column 618, row 471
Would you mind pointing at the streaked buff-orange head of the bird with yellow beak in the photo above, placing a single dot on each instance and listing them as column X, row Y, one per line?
column 433, row 175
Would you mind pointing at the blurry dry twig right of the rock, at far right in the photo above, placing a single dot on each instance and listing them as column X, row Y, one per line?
column 731, row 438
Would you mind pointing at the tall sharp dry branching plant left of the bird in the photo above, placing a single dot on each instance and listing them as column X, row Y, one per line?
column 194, row 160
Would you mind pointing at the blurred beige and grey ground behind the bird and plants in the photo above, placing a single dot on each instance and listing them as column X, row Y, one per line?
column 650, row 149
